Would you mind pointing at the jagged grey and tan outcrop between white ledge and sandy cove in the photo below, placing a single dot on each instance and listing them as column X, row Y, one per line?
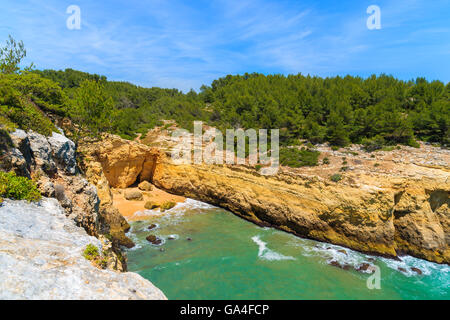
column 51, row 162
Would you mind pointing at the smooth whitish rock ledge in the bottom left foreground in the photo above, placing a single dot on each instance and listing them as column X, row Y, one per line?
column 41, row 257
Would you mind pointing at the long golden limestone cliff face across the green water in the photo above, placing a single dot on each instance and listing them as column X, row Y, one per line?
column 379, row 214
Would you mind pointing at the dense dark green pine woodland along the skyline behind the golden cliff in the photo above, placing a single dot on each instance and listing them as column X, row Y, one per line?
column 376, row 111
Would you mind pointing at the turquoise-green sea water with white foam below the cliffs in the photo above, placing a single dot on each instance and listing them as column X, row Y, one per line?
column 230, row 258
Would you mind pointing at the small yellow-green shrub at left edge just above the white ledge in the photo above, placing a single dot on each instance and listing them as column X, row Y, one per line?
column 18, row 188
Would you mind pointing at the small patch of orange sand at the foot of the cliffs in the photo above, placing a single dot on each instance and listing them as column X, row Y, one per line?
column 129, row 207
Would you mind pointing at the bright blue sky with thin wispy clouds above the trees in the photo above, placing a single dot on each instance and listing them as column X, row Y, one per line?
column 184, row 44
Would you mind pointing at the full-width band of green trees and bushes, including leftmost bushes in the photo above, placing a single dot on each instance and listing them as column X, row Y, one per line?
column 378, row 111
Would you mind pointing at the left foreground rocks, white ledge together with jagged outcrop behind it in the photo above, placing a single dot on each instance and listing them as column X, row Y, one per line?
column 42, row 244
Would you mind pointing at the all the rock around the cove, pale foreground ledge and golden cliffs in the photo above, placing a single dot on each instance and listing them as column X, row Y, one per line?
column 388, row 213
